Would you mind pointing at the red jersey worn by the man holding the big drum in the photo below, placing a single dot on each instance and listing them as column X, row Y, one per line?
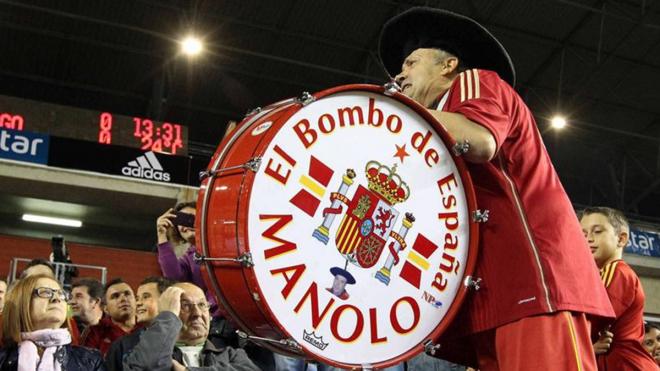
column 533, row 258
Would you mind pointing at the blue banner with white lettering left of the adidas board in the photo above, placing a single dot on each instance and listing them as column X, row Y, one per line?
column 24, row 146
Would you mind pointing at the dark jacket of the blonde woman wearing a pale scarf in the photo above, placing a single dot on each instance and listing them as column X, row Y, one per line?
column 74, row 359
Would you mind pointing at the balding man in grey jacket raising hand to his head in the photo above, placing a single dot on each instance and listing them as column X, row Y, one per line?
column 177, row 337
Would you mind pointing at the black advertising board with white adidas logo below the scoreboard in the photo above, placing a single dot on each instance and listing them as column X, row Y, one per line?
column 119, row 160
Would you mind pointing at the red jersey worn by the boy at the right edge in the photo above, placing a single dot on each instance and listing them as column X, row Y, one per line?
column 627, row 297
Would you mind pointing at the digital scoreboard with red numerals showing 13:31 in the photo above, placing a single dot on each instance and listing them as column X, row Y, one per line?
column 94, row 126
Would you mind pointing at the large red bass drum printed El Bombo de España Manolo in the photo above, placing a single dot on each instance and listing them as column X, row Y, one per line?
column 340, row 227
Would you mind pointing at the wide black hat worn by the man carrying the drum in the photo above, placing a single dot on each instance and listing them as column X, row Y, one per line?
column 423, row 27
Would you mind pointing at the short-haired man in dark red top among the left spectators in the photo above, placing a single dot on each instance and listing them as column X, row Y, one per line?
column 119, row 307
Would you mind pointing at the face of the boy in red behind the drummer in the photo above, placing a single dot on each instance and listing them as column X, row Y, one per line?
column 601, row 237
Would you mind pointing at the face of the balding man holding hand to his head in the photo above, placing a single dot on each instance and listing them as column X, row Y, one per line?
column 195, row 321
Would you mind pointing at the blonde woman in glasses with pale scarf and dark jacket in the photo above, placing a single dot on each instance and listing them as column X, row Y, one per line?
column 35, row 339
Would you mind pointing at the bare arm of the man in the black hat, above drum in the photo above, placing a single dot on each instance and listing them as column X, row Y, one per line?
column 482, row 142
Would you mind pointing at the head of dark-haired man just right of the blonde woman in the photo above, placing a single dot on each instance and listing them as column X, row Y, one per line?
column 86, row 298
